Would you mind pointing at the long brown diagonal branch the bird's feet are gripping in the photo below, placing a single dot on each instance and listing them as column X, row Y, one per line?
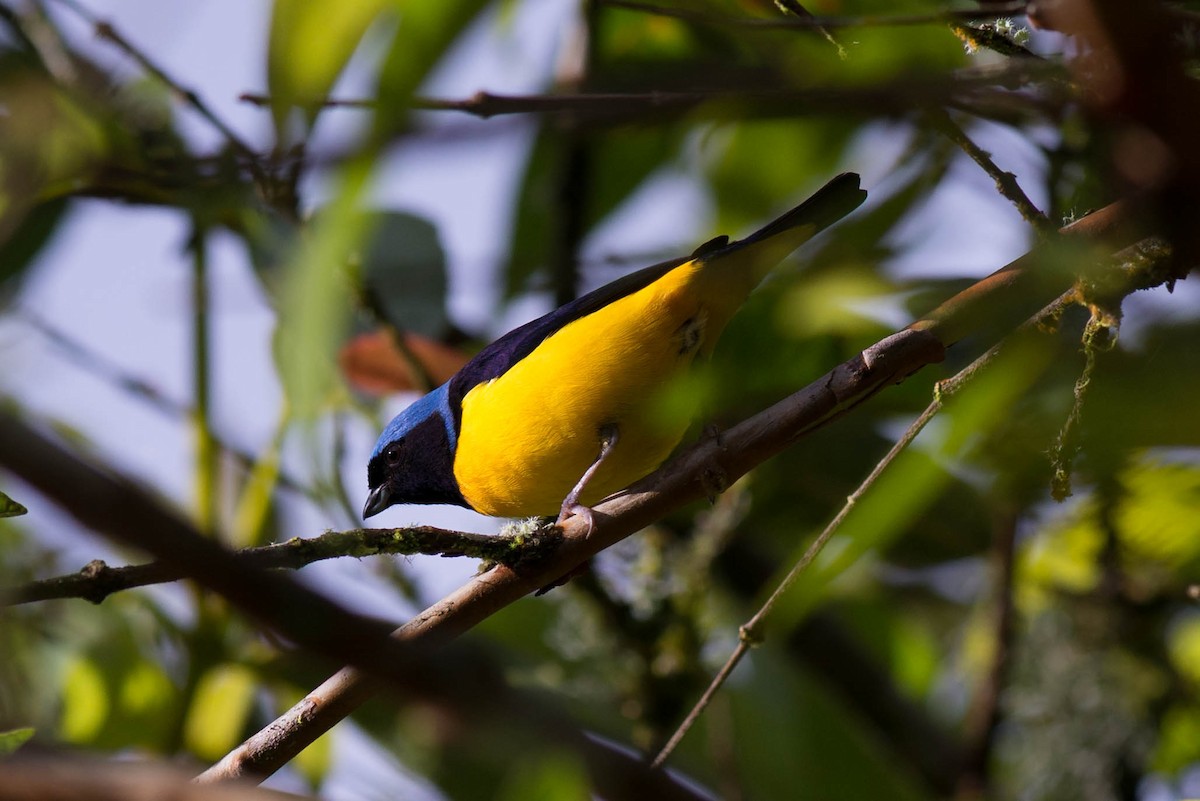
column 1006, row 299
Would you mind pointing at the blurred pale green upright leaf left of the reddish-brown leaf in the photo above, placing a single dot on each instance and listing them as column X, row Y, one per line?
column 317, row 296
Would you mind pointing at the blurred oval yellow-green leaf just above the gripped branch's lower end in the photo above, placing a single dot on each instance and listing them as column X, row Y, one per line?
column 220, row 707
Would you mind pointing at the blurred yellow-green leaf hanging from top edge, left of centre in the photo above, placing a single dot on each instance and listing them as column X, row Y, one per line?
column 310, row 45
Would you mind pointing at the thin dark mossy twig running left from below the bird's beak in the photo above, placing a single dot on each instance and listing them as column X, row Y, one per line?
column 98, row 581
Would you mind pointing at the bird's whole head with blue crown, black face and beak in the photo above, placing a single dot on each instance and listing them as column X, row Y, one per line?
column 413, row 460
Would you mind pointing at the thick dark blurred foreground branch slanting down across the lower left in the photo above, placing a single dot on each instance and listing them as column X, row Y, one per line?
column 464, row 684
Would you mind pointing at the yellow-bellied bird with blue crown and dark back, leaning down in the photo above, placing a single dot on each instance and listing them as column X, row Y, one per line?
column 566, row 411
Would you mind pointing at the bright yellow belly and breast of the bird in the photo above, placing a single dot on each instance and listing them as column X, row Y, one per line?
column 529, row 436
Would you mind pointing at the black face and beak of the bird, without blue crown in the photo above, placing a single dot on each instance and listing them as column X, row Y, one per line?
column 417, row 468
